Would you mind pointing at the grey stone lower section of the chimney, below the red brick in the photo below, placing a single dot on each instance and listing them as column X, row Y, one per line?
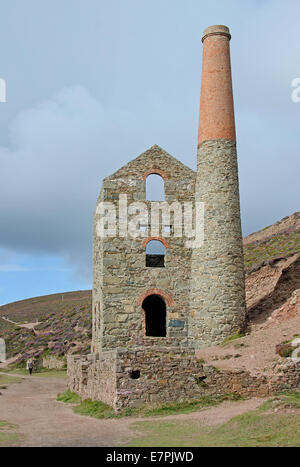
column 217, row 270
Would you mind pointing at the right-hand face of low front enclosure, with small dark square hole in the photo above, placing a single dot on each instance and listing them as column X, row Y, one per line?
column 166, row 375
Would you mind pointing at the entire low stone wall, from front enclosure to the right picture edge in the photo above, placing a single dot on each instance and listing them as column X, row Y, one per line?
column 147, row 376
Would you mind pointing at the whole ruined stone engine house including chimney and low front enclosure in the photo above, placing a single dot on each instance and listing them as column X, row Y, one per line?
column 151, row 311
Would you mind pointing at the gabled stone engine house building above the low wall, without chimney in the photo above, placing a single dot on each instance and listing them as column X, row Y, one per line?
column 120, row 275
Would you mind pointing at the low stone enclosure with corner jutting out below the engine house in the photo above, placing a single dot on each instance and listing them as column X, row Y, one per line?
column 130, row 378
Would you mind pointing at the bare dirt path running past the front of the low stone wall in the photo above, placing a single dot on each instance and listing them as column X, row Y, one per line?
column 43, row 421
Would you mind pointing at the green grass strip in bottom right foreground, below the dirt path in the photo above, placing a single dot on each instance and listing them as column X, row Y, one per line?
column 249, row 429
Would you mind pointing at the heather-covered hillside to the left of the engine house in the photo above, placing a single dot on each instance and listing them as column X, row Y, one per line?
column 65, row 325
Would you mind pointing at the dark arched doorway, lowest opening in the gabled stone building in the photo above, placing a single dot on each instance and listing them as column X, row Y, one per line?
column 155, row 316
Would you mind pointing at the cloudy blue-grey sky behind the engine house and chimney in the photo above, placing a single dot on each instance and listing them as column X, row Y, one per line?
column 92, row 84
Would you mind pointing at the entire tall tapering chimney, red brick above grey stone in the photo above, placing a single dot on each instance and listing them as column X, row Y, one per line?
column 217, row 269
